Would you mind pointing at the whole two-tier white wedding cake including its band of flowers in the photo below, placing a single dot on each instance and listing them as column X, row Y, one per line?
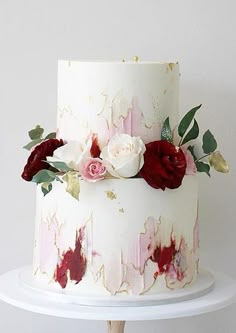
column 117, row 194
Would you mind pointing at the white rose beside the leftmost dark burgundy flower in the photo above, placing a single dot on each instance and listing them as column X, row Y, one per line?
column 72, row 153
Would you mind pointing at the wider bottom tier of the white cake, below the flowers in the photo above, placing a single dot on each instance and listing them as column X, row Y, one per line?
column 122, row 236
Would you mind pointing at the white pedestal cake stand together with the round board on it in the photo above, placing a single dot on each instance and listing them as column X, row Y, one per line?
column 211, row 292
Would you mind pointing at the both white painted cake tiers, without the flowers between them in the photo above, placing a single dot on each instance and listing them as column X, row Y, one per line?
column 122, row 235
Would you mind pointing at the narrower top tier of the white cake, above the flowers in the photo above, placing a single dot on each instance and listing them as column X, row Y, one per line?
column 105, row 98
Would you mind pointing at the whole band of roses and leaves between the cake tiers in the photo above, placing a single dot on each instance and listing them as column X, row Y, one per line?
column 162, row 163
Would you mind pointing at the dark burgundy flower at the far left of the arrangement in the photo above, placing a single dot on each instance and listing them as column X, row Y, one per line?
column 38, row 155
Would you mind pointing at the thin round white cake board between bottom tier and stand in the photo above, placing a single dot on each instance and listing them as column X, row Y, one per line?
column 203, row 284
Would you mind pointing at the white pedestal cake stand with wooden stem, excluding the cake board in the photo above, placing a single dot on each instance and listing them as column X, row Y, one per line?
column 15, row 293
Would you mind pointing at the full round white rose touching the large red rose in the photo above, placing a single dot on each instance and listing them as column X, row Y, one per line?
column 123, row 156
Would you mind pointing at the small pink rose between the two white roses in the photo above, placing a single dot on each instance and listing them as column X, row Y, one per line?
column 92, row 169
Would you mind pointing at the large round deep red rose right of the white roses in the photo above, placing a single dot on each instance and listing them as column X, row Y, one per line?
column 164, row 165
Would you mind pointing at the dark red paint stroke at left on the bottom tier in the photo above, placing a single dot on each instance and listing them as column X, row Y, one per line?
column 72, row 264
